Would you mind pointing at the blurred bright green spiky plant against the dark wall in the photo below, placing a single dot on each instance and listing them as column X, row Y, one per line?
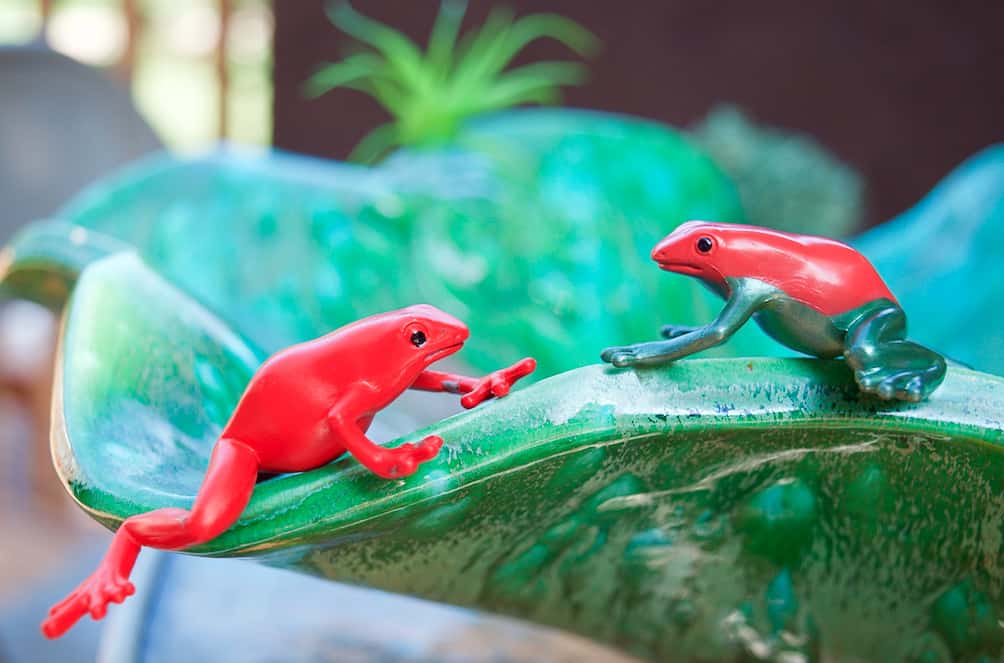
column 431, row 94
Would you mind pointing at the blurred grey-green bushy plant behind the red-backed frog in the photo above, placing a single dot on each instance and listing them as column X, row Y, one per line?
column 786, row 180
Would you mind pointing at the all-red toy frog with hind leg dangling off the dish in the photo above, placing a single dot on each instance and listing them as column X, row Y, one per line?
column 305, row 407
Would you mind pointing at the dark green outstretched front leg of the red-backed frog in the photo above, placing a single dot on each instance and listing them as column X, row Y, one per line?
column 747, row 297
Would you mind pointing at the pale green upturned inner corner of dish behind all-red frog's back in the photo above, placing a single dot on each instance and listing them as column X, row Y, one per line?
column 148, row 374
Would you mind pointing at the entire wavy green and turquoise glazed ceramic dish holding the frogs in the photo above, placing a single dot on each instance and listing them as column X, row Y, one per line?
column 714, row 510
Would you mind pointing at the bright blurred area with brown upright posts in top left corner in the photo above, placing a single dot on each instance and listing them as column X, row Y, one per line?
column 197, row 72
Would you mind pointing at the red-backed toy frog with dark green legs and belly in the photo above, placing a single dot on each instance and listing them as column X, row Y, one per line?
column 814, row 295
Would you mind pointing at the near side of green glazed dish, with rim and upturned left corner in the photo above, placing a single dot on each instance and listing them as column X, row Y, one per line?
column 713, row 510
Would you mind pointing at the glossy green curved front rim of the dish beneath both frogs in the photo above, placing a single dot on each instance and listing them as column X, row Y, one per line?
column 592, row 406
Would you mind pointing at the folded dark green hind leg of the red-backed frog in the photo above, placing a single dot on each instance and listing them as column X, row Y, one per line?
column 885, row 363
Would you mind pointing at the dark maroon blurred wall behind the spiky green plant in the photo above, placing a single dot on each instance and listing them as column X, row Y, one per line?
column 903, row 92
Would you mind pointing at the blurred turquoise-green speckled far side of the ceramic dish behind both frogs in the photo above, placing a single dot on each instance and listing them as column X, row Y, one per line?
column 534, row 228
